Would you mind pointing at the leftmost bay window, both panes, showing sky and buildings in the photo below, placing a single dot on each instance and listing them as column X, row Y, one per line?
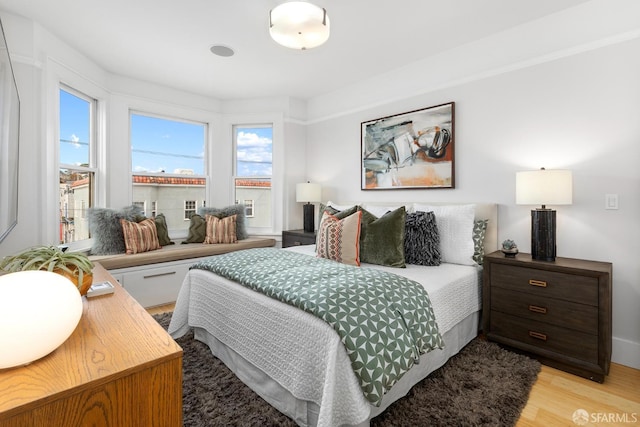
column 77, row 163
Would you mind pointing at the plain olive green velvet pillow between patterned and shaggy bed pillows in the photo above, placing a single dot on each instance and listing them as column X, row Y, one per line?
column 382, row 239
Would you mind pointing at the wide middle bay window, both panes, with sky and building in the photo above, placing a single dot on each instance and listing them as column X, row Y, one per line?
column 168, row 166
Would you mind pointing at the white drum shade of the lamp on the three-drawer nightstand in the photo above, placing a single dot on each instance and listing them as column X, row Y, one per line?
column 544, row 187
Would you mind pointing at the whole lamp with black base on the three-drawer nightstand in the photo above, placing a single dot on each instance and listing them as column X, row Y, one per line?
column 544, row 187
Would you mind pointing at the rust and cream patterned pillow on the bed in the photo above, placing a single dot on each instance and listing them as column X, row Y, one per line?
column 339, row 239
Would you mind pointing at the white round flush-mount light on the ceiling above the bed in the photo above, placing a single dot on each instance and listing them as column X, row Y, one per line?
column 299, row 25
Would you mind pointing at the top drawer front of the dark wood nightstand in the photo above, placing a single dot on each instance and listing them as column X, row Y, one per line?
column 569, row 287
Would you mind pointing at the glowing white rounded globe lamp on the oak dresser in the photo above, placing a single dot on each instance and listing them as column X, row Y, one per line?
column 39, row 310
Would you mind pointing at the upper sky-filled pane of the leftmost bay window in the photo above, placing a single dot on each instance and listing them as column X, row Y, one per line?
column 75, row 129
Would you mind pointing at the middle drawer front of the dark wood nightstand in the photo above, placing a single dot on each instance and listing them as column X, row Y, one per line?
column 579, row 317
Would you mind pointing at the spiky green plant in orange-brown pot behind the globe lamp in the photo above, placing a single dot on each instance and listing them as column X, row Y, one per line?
column 75, row 266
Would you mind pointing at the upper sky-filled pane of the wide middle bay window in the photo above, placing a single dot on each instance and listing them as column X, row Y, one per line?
column 166, row 146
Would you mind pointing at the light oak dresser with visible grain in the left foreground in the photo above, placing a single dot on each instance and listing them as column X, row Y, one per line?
column 119, row 368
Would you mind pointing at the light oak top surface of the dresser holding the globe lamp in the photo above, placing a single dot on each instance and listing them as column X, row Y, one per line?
column 115, row 337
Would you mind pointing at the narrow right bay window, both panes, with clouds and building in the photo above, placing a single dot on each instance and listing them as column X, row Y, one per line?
column 253, row 171
